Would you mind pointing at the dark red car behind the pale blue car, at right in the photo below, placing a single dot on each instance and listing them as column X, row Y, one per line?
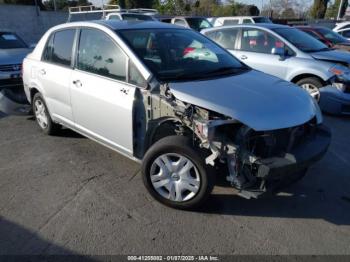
column 327, row 36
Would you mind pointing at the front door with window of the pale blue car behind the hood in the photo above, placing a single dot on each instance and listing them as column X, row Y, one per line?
column 255, row 49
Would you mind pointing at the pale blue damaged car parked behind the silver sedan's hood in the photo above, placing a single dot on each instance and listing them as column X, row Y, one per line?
column 293, row 55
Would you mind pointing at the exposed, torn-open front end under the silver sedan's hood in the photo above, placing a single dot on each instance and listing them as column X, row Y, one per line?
column 250, row 160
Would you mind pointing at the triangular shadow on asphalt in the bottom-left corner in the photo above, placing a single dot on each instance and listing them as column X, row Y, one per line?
column 17, row 240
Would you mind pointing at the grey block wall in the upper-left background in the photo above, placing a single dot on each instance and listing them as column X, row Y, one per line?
column 29, row 23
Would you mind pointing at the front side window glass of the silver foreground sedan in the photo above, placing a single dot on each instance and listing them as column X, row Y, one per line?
column 98, row 54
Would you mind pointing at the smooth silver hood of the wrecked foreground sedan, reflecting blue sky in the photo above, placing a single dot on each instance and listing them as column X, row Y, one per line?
column 258, row 100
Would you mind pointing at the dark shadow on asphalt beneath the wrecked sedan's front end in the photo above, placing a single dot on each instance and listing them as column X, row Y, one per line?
column 293, row 202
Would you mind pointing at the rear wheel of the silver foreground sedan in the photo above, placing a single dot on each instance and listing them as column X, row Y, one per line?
column 42, row 115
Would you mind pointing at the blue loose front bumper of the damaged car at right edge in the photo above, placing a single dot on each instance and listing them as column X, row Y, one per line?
column 334, row 101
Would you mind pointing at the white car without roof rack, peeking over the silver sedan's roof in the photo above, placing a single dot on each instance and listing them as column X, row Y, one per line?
column 196, row 23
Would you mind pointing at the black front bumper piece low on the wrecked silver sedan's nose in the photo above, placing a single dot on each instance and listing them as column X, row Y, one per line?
column 296, row 161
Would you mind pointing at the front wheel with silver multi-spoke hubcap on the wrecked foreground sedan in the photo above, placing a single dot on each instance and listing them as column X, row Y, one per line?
column 179, row 153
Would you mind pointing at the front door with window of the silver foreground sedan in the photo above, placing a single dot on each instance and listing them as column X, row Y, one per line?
column 102, row 100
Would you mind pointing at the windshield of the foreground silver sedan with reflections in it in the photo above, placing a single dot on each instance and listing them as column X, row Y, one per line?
column 175, row 54
